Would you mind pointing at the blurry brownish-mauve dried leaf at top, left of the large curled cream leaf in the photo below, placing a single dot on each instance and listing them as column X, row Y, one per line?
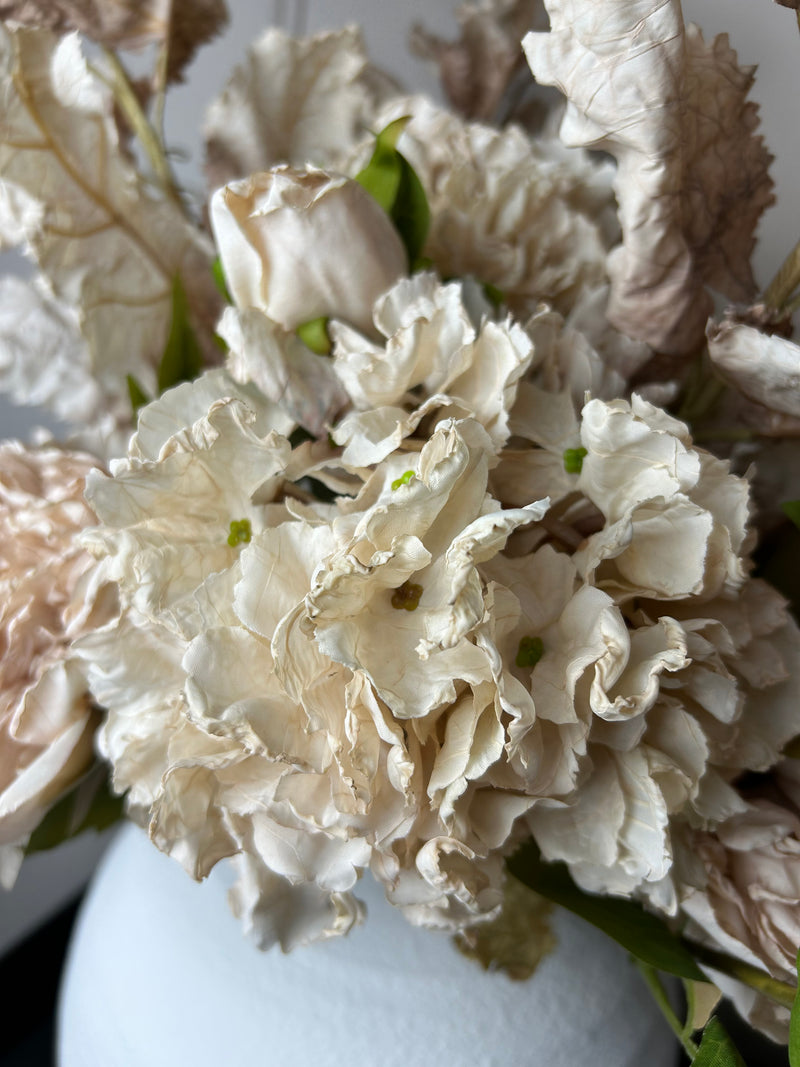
column 477, row 70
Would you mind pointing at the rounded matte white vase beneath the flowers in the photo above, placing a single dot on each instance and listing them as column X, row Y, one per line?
column 161, row 976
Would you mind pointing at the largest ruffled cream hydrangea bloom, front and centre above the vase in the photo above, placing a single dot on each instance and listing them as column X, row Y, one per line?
column 413, row 678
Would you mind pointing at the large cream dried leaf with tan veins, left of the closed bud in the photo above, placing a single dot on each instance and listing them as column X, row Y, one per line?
column 108, row 247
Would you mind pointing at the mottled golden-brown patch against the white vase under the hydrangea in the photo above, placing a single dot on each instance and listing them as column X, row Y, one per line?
column 518, row 939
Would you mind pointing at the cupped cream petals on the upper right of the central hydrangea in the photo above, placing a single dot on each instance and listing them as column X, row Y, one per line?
column 676, row 517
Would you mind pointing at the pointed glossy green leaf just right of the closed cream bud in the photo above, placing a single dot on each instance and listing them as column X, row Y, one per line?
column 393, row 182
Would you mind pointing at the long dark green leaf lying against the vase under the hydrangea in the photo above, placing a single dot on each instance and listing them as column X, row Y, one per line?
column 643, row 934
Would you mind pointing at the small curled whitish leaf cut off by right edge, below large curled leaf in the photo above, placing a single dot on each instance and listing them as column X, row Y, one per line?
column 763, row 368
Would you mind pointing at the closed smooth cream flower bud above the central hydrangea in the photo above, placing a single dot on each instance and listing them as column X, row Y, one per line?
column 303, row 244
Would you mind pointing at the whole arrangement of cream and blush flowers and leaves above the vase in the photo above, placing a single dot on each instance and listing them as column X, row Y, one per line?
column 421, row 508
